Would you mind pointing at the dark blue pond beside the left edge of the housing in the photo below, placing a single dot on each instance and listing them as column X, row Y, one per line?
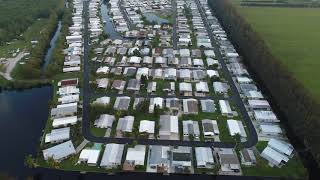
column 23, row 115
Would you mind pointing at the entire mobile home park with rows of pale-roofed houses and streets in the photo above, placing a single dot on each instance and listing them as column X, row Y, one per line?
column 166, row 92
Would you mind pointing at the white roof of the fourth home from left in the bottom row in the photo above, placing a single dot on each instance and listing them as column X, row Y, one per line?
column 136, row 154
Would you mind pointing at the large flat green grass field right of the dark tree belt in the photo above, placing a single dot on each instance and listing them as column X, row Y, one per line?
column 293, row 36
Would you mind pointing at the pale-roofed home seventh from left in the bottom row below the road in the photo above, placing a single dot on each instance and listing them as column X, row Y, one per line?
column 204, row 157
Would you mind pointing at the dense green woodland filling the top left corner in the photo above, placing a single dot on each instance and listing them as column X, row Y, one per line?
column 17, row 15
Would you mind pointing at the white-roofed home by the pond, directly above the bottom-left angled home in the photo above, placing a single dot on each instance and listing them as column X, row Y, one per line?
column 58, row 135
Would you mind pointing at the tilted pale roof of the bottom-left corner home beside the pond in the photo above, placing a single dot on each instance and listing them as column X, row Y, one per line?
column 59, row 151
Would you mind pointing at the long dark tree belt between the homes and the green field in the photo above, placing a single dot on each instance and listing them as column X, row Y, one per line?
column 291, row 98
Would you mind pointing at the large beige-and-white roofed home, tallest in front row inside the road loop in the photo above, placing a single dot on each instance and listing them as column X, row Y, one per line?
column 169, row 127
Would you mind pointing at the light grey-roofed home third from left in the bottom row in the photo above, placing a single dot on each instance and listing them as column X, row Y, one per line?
column 112, row 156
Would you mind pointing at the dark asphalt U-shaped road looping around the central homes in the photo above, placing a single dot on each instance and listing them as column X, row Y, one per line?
column 252, row 136
